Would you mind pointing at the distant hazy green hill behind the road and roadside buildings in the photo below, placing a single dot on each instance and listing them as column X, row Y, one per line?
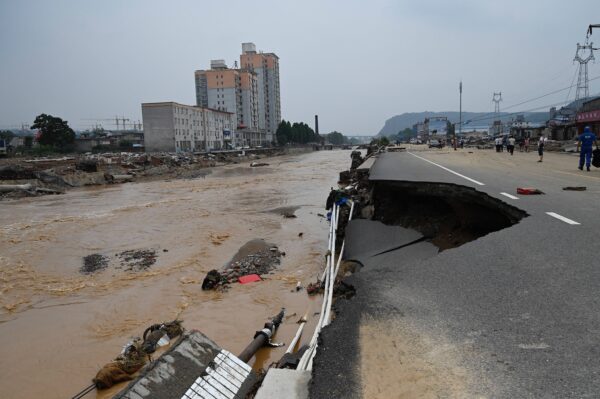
column 408, row 119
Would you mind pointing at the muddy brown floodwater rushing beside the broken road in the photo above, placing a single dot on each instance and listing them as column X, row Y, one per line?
column 58, row 326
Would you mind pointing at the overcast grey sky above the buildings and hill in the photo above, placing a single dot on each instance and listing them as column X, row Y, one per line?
column 355, row 63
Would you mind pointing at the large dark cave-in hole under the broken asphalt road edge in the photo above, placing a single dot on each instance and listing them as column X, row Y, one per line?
column 447, row 214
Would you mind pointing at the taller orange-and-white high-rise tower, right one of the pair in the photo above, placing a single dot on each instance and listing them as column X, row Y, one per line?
column 266, row 68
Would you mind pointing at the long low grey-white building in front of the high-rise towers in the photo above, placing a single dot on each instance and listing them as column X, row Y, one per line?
column 174, row 127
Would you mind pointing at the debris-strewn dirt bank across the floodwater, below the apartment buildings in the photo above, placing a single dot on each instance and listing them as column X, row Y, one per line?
column 21, row 177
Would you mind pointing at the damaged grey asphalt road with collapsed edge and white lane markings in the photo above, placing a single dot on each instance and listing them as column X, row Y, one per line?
column 467, row 289
